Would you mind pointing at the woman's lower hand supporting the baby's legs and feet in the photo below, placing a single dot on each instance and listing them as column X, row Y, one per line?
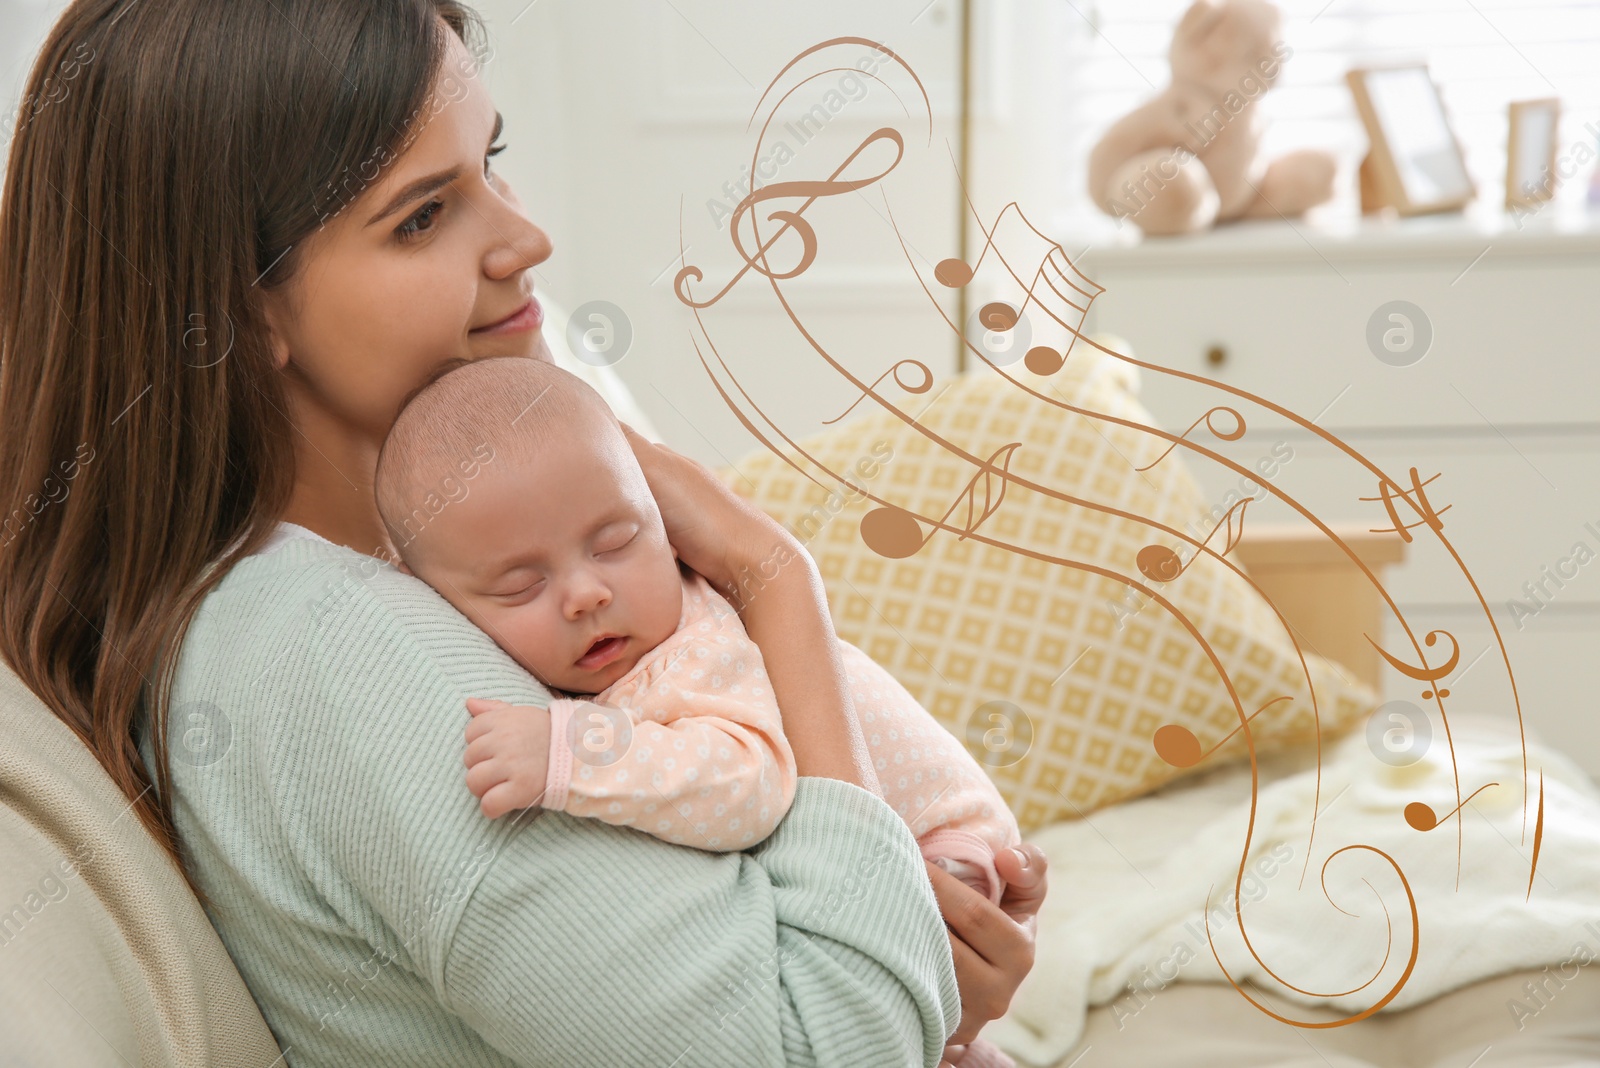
column 993, row 944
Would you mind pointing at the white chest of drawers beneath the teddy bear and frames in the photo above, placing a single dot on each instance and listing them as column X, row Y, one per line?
column 1462, row 346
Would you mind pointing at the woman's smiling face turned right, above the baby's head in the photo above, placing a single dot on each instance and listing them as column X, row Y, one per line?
column 409, row 274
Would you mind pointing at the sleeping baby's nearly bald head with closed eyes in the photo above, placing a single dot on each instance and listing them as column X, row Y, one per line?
column 508, row 487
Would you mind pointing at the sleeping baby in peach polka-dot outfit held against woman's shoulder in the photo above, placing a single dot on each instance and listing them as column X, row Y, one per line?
column 662, row 715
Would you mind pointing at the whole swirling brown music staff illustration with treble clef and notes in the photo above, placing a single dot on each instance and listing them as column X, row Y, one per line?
column 1018, row 287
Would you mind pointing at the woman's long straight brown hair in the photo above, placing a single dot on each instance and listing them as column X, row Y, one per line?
column 167, row 164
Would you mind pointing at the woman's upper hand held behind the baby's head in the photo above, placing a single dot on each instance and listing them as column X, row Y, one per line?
column 714, row 532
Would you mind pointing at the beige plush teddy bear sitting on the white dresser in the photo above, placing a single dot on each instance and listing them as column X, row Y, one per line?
column 1190, row 157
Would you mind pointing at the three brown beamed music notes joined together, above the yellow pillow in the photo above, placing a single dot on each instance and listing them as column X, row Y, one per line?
column 1057, row 285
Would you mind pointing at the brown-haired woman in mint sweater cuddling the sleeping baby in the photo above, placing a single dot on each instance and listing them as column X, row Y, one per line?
column 236, row 237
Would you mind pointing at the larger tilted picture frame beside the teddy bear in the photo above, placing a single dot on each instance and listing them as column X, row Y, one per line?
column 1415, row 164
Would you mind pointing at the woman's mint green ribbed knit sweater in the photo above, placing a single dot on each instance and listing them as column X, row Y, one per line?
column 382, row 922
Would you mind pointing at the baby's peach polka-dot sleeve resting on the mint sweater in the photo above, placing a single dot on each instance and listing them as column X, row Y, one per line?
column 703, row 770
